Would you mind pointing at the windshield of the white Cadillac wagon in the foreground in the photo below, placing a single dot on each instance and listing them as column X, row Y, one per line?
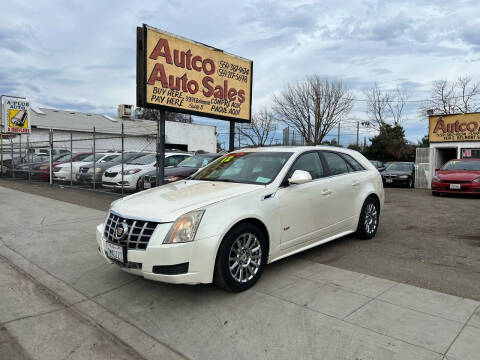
column 249, row 167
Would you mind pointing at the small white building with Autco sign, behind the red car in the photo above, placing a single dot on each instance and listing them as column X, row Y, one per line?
column 454, row 136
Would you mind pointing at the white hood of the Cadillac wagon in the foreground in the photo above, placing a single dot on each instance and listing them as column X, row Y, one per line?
column 166, row 203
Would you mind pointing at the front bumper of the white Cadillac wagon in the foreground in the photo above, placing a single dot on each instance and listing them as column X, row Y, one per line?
column 154, row 262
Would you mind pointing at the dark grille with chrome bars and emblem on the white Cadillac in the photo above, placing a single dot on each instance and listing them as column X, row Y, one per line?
column 138, row 235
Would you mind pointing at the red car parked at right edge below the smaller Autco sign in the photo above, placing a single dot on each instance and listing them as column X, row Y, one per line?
column 457, row 176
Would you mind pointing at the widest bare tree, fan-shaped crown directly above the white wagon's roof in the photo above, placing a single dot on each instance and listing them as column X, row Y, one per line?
column 313, row 107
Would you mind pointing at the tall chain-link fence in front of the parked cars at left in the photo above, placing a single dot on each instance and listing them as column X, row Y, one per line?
column 110, row 160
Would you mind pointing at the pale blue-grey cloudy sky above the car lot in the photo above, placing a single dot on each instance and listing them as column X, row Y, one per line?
column 80, row 55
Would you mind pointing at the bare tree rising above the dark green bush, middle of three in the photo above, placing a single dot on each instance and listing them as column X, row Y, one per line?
column 385, row 107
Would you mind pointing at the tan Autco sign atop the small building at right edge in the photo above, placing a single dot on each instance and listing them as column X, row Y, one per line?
column 458, row 127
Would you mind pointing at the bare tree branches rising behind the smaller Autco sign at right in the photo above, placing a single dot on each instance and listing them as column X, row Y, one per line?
column 451, row 97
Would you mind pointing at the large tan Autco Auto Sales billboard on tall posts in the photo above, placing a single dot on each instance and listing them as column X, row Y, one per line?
column 184, row 76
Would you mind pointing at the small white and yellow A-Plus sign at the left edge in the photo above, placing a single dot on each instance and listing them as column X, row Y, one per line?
column 16, row 116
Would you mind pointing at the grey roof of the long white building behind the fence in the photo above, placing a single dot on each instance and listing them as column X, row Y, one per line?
column 43, row 118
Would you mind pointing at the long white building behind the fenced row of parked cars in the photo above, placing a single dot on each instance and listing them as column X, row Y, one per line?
column 75, row 130
